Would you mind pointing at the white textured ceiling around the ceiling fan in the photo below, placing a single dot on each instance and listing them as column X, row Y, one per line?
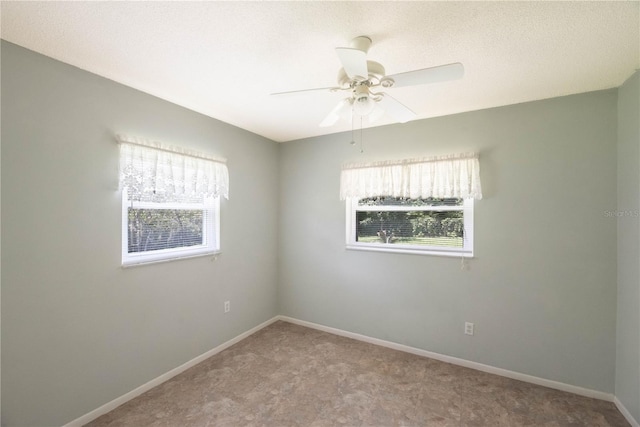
column 223, row 59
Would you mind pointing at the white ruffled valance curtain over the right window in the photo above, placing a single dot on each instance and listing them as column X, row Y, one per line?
column 454, row 176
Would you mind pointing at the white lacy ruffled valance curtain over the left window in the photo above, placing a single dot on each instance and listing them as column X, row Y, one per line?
column 153, row 172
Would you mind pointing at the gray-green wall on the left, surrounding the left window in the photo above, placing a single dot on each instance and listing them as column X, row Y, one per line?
column 77, row 329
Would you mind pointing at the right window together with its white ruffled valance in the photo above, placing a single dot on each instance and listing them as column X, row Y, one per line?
column 420, row 206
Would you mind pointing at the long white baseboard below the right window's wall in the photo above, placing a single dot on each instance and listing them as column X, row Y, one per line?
column 457, row 361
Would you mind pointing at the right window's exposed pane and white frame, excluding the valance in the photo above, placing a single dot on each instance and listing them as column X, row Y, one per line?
column 438, row 226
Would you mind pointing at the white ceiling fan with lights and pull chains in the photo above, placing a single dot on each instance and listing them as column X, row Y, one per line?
column 362, row 80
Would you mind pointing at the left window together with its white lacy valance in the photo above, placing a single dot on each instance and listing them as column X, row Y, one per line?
column 170, row 202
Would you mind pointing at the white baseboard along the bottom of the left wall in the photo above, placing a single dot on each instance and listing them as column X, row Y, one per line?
column 107, row 407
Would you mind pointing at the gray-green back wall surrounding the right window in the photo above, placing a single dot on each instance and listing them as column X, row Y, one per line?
column 541, row 289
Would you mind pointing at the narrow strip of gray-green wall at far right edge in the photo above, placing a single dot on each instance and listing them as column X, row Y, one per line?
column 628, row 330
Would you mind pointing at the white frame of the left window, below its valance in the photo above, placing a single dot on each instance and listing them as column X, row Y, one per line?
column 211, row 232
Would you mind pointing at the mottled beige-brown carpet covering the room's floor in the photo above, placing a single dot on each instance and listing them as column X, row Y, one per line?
column 289, row 375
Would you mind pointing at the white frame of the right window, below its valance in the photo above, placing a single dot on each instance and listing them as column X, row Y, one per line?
column 351, row 229
